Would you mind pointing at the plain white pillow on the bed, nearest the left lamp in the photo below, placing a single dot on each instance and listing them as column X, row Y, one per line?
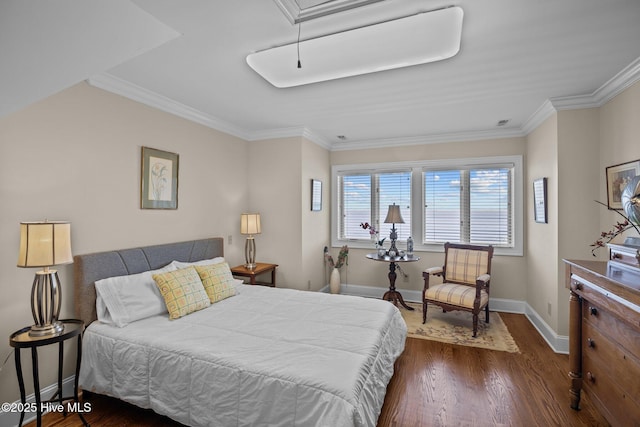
column 121, row 300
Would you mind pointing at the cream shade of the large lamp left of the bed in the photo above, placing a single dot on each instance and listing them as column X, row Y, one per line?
column 45, row 243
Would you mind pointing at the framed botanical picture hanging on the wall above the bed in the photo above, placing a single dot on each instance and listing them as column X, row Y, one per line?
column 159, row 179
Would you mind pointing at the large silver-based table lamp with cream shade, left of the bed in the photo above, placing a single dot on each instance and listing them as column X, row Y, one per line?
column 45, row 244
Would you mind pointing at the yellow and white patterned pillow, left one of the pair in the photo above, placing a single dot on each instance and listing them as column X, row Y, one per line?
column 182, row 291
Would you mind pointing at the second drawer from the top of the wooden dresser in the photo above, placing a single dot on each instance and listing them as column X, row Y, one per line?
column 621, row 332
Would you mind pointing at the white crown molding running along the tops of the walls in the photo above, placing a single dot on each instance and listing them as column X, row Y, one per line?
column 617, row 84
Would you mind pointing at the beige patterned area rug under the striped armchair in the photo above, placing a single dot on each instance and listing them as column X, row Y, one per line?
column 456, row 327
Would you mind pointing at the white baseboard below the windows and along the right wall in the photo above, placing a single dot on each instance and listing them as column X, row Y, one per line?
column 558, row 343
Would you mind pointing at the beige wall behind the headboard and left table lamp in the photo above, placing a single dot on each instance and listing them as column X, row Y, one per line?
column 76, row 156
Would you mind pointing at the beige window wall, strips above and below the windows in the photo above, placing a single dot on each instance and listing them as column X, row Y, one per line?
column 505, row 268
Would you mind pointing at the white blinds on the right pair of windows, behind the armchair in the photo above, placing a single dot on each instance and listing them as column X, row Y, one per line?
column 469, row 205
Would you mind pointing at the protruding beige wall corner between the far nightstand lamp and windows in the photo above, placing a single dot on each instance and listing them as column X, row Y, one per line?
column 292, row 236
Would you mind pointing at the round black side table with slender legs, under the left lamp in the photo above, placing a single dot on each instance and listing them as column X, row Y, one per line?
column 21, row 339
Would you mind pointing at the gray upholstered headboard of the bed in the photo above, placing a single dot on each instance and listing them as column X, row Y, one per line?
column 92, row 267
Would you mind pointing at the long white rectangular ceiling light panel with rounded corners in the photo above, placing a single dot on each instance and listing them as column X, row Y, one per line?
column 413, row 40
